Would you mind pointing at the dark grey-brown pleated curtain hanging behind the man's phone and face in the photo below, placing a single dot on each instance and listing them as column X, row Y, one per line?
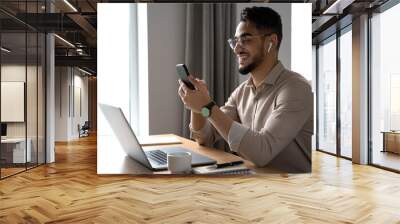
column 207, row 53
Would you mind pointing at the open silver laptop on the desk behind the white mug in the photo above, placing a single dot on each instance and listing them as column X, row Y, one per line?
column 153, row 159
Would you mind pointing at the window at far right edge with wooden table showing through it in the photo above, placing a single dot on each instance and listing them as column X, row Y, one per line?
column 385, row 88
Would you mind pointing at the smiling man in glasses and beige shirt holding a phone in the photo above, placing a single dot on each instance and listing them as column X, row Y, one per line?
column 268, row 119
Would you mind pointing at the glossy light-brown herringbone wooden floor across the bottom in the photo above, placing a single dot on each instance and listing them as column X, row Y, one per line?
column 70, row 191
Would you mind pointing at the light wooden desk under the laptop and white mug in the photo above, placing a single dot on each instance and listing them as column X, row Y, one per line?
column 111, row 159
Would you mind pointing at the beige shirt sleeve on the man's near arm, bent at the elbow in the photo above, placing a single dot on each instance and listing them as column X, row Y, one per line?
column 293, row 108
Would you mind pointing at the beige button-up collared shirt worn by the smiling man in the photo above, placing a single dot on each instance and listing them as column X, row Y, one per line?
column 273, row 124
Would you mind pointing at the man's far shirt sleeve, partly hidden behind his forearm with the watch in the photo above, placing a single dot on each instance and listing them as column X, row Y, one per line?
column 208, row 135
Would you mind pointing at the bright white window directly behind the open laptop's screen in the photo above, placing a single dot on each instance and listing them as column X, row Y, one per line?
column 122, row 57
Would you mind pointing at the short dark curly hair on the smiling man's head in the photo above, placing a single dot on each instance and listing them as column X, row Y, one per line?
column 264, row 18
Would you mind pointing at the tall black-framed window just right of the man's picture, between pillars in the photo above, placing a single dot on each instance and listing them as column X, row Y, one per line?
column 334, row 60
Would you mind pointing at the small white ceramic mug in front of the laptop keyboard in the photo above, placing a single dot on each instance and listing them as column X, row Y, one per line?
column 179, row 162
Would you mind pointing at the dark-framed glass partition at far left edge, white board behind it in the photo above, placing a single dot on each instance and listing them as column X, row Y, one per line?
column 22, row 102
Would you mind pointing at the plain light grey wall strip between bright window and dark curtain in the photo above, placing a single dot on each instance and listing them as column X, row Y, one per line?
column 166, row 38
